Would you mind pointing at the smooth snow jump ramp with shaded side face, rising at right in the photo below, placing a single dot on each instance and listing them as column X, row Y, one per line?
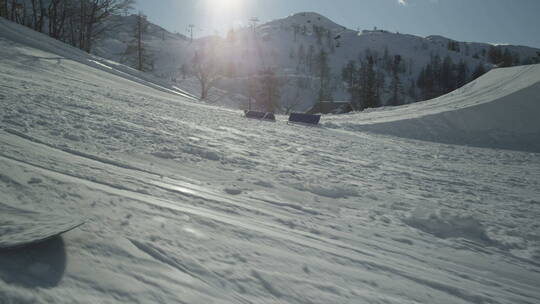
column 498, row 110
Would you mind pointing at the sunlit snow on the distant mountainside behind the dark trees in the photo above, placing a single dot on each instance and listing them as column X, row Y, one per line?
column 276, row 42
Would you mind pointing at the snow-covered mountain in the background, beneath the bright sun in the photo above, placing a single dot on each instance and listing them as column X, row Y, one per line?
column 287, row 44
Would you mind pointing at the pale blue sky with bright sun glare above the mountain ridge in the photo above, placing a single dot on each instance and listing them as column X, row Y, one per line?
column 492, row 21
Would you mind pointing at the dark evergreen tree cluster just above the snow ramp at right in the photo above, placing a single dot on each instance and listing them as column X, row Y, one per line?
column 366, row 79
